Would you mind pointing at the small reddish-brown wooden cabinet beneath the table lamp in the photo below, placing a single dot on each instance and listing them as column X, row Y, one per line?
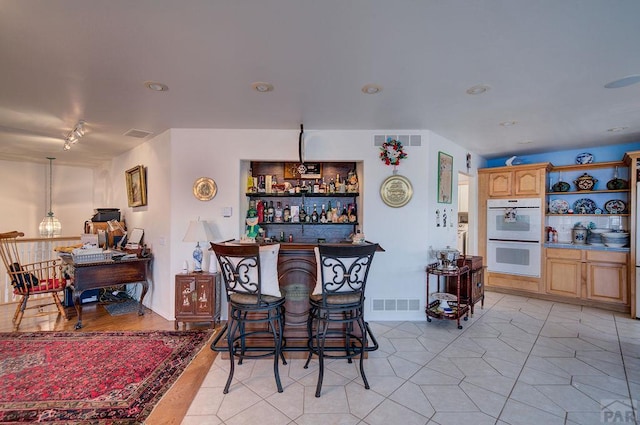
column 197, row 298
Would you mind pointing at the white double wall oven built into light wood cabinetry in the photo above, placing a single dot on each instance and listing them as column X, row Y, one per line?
column 514, row 236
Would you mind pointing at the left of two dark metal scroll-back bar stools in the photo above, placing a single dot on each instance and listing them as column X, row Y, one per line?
column 256, row 306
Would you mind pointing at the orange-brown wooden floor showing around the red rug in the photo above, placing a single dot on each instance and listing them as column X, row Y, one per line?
column 176, row 401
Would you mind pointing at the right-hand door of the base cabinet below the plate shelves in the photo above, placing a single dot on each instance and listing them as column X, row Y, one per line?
column 607, row 282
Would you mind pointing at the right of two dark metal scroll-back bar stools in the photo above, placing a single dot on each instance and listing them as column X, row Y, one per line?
column 337, row 305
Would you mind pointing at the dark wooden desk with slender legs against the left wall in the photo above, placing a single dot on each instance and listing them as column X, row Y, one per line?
column 109, row 273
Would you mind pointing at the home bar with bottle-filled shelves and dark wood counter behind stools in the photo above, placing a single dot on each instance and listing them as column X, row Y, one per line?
column 300, row 206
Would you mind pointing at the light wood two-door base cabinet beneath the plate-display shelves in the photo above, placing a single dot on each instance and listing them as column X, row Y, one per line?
column 591, row 275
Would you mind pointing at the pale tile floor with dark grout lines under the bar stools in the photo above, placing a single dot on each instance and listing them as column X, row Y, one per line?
column 517, row 361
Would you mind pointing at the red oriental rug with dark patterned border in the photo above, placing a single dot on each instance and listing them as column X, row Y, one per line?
column 112, row 378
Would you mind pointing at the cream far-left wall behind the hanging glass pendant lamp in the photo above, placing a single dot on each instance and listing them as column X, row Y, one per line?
column 24, row 194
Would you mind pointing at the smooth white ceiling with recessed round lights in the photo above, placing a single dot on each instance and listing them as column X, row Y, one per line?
column 545, row 62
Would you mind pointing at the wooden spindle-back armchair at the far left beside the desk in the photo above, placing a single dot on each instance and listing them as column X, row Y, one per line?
column 43, row 277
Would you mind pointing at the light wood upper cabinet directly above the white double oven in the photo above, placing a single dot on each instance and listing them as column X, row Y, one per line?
column 514, row 181
